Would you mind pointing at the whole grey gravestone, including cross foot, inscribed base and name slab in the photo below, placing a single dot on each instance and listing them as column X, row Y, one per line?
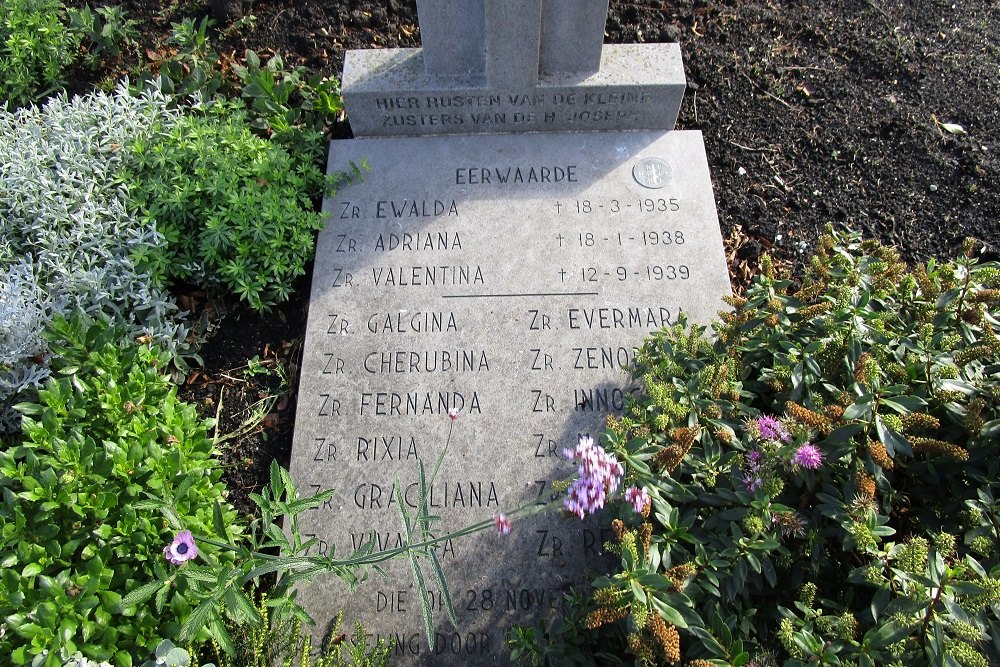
column 499, row 277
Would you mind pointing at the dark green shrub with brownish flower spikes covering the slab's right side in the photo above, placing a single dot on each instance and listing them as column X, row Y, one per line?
column 821, row 475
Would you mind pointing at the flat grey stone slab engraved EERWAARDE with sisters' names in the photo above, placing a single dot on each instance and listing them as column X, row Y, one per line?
column 509, row 278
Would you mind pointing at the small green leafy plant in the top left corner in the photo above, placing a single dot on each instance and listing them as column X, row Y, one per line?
column 35, row 49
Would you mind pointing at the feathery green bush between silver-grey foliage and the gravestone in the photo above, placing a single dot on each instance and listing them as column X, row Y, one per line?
column 235, row 210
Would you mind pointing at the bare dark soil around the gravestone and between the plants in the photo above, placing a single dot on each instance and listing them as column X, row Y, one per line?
column 880, row 114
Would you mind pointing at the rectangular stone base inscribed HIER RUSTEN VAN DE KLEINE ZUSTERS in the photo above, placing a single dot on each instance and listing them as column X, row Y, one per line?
column 387, row 92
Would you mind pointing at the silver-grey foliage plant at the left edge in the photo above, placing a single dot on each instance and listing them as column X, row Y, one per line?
column 66, row 236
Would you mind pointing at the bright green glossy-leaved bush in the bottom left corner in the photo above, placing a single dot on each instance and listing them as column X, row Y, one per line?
column 106, row 429
